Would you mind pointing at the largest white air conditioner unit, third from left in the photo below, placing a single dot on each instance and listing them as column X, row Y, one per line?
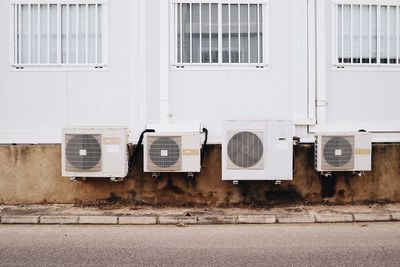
column 257, row 150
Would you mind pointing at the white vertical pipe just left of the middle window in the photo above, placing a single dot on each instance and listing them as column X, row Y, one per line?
column 164, row 62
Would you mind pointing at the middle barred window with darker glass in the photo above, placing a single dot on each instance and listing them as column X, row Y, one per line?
column 219, row 33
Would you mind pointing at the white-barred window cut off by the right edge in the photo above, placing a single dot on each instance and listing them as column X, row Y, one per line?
column 367, row 34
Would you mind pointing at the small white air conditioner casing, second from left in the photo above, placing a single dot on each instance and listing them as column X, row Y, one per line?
column 172, row 152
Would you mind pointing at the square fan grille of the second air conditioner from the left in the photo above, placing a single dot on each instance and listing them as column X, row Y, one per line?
column 164, row 153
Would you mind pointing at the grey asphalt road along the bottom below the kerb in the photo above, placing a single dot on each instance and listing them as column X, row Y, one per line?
column 376, row 244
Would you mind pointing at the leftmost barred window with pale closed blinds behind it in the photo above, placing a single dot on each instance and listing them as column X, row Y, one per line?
column 58, row 34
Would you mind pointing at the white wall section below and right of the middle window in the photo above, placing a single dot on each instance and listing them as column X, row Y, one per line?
column 277, row 92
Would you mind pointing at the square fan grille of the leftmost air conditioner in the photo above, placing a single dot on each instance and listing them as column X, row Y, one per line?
column 83, row 152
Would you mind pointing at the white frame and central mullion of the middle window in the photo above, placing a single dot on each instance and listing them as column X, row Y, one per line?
column 220, row 65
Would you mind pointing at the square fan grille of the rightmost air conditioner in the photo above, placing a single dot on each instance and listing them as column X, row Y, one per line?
column 338, row 152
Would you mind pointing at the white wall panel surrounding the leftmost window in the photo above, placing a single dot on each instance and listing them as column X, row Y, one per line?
column 35, row 105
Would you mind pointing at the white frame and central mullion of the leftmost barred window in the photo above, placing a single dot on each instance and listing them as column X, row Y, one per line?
column 15, row 66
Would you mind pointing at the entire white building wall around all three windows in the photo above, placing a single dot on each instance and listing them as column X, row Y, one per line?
column 35, row 105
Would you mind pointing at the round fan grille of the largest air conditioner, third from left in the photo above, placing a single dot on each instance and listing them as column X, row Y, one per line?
column 245, row 150
